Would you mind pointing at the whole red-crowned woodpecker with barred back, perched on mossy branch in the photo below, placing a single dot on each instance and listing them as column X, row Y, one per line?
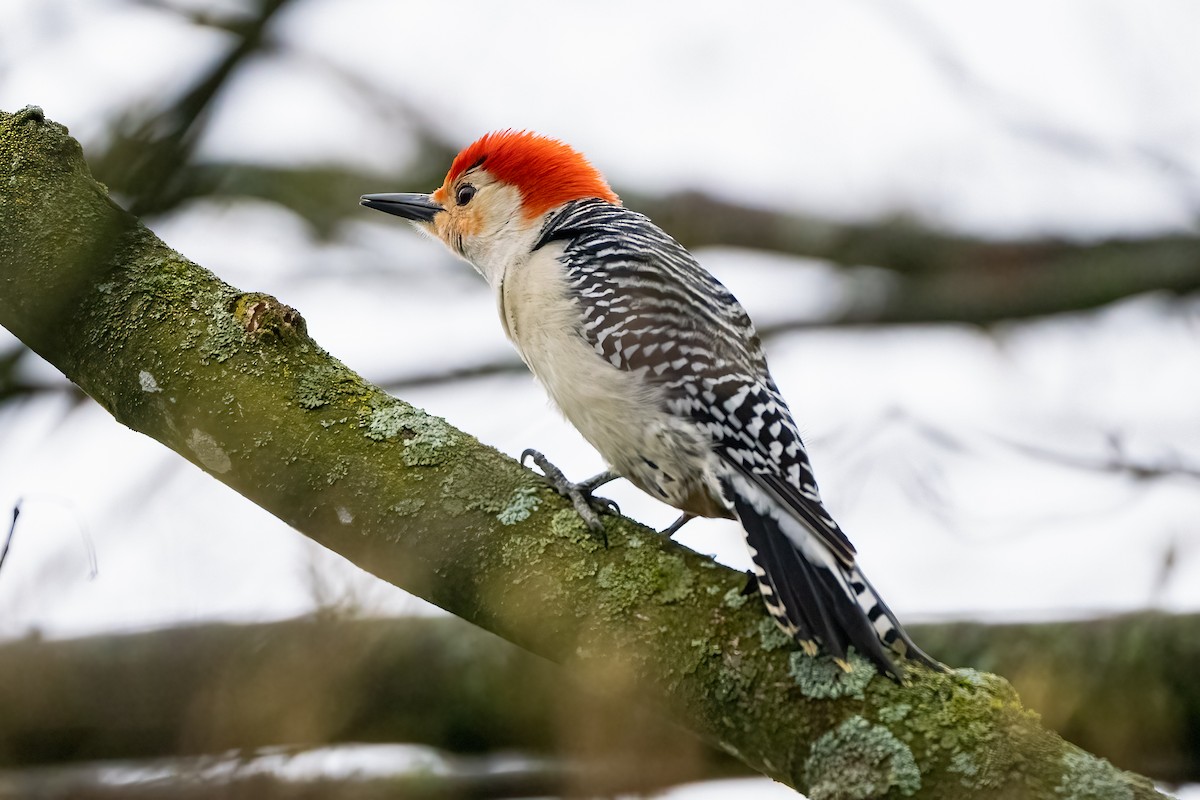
column 661, row 369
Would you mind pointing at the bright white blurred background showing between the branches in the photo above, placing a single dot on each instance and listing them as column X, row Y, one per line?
column 1079, row 119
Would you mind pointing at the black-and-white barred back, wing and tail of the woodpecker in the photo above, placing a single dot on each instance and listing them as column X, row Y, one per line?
column 647, row 306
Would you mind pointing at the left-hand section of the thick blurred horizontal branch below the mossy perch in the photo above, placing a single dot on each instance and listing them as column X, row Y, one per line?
column 440, row 683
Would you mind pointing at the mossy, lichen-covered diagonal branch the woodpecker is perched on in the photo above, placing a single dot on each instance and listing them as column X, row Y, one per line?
column 232, row 382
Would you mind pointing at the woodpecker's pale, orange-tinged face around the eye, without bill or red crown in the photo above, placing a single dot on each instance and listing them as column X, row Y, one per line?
column 482, row 221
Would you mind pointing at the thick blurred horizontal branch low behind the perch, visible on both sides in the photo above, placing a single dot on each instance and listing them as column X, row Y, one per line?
column 1124, row 688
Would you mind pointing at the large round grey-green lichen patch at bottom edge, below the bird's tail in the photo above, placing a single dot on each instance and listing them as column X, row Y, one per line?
column 860, row 761
